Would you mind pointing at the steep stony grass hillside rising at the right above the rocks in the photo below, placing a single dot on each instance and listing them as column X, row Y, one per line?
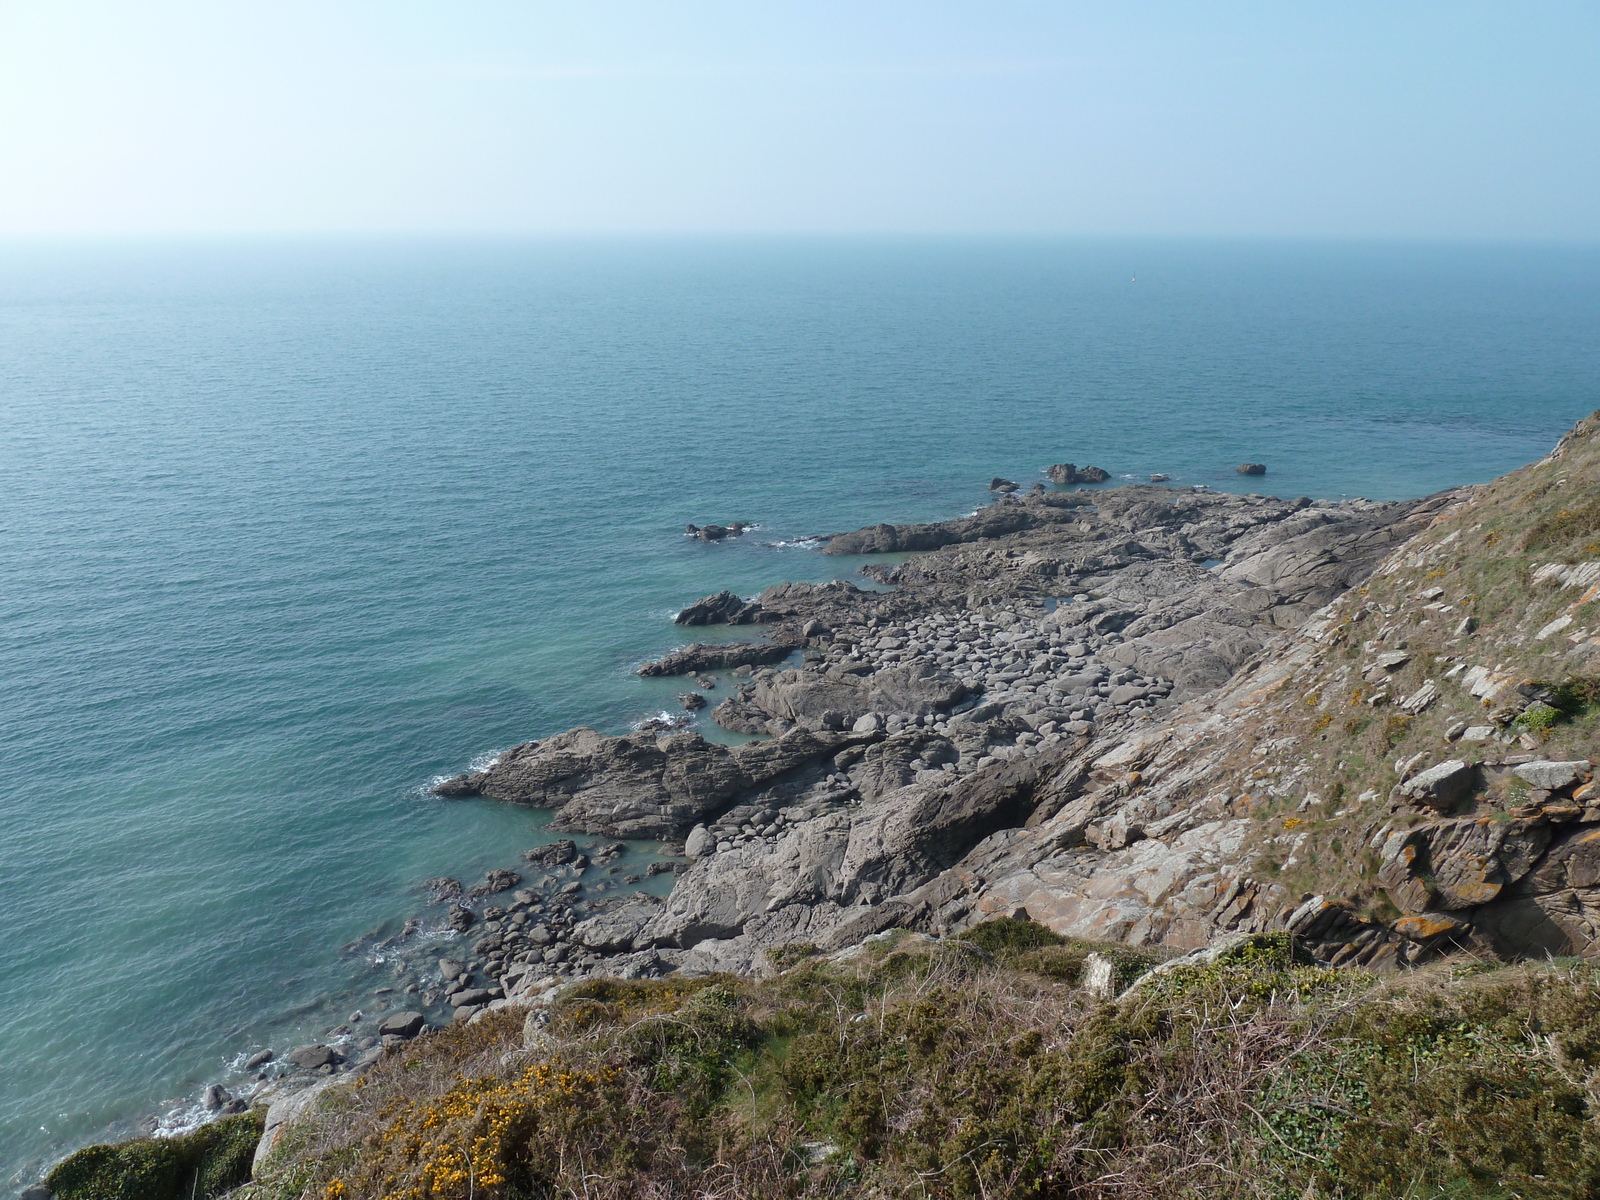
column 1322, row 767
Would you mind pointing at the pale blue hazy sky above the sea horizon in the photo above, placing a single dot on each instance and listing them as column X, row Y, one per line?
column 1119, row 118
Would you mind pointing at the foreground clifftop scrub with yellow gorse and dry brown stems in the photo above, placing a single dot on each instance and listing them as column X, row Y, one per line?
column 978, row 1070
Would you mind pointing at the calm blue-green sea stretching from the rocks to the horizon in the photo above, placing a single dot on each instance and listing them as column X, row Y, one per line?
column 290, row 529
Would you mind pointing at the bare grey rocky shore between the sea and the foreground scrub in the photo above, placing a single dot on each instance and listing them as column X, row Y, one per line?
column 1049, row 713
